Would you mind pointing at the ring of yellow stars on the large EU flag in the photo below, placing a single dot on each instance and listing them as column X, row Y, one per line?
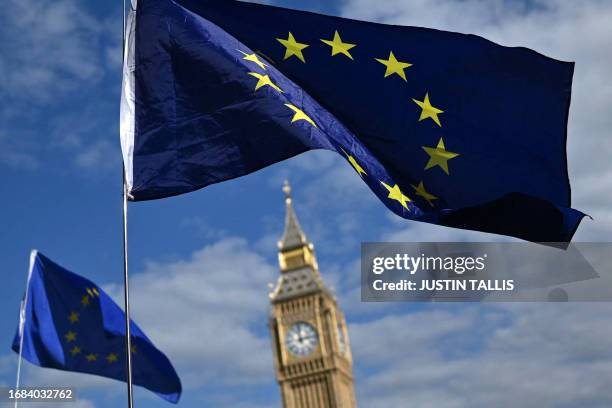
column 438, row 156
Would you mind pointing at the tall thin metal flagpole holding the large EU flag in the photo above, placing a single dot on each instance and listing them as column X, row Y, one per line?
column 126, row 288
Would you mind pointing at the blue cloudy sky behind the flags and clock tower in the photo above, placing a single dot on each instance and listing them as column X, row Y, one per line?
column 200, row 263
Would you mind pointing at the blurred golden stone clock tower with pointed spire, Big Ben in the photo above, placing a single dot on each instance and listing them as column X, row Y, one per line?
column 312, row 354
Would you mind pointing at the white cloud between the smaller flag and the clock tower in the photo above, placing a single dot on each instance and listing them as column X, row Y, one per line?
column 209, row 313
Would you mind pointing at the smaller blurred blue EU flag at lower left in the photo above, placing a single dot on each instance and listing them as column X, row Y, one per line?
column 71, row 324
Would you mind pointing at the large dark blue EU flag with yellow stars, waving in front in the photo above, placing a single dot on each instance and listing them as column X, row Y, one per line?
column 443, row 127
